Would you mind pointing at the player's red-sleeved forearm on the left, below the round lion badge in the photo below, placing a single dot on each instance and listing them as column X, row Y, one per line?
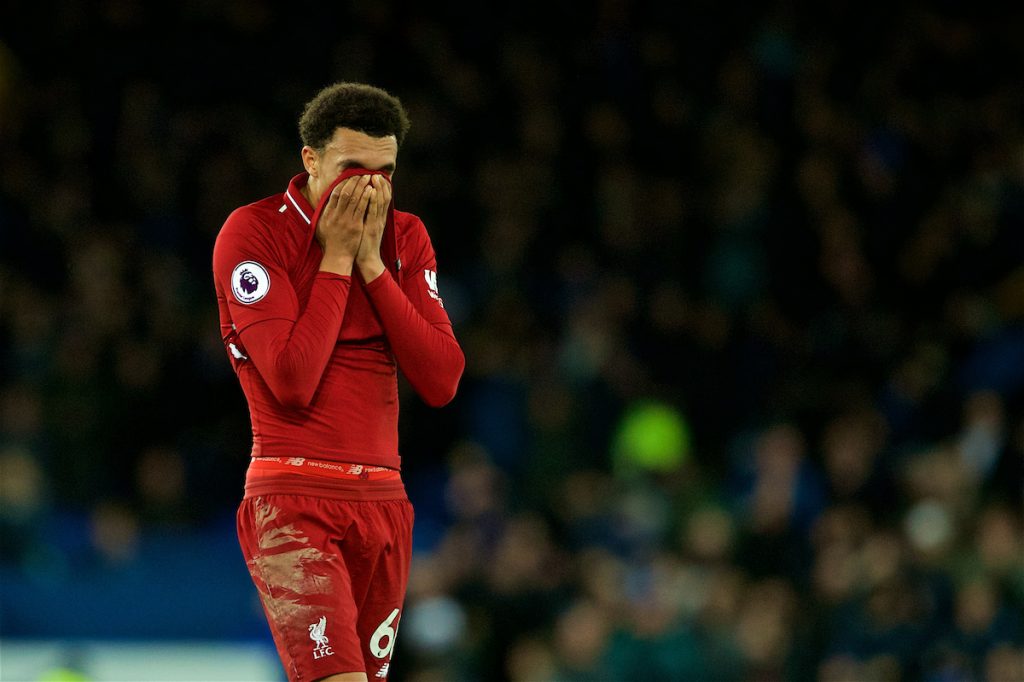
column 292, row 357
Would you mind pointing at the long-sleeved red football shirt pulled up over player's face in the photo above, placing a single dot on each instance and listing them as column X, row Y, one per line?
column 316, row 353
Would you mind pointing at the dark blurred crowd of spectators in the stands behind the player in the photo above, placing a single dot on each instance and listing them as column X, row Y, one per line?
column 741, row 290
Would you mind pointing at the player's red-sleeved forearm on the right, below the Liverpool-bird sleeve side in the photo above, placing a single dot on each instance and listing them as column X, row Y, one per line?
column 429, row 355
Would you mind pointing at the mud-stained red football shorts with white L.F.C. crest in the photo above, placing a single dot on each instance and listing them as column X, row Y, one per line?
column 332, row 576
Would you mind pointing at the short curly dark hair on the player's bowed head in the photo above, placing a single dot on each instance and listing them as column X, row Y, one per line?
column 356, row 106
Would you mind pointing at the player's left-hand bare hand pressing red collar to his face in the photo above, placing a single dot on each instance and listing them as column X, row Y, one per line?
column 342, row 226
